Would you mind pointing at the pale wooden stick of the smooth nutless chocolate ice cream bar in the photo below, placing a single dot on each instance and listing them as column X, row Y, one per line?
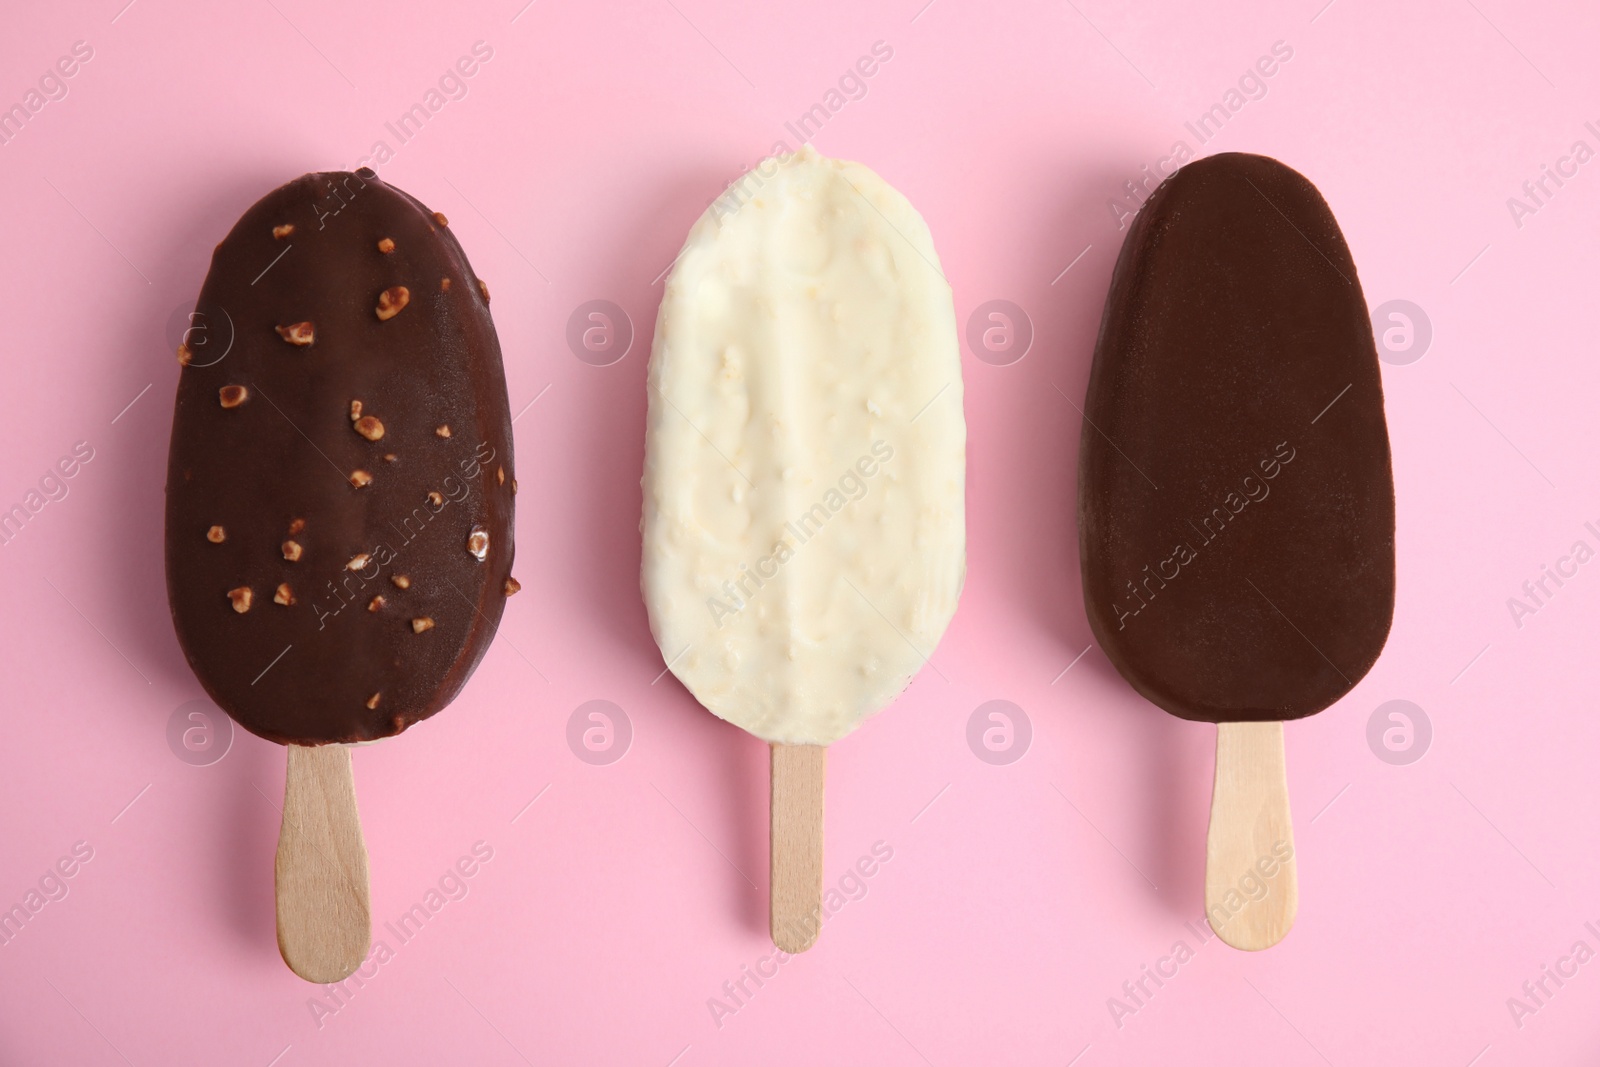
column 1250, row 887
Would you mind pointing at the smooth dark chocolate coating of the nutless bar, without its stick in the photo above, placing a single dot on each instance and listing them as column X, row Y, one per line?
column 1236, row 502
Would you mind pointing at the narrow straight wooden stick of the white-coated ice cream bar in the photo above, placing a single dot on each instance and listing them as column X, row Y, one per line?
column 798, row 845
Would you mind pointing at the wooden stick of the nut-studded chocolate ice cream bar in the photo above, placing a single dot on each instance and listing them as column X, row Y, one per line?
column 326, row 917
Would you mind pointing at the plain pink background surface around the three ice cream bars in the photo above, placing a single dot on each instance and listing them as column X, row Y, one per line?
column 1020, row 898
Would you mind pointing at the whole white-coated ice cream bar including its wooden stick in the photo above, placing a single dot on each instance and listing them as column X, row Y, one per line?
column 804, row 478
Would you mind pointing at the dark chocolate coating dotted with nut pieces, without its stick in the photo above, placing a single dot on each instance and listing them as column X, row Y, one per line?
column 337, row 569
